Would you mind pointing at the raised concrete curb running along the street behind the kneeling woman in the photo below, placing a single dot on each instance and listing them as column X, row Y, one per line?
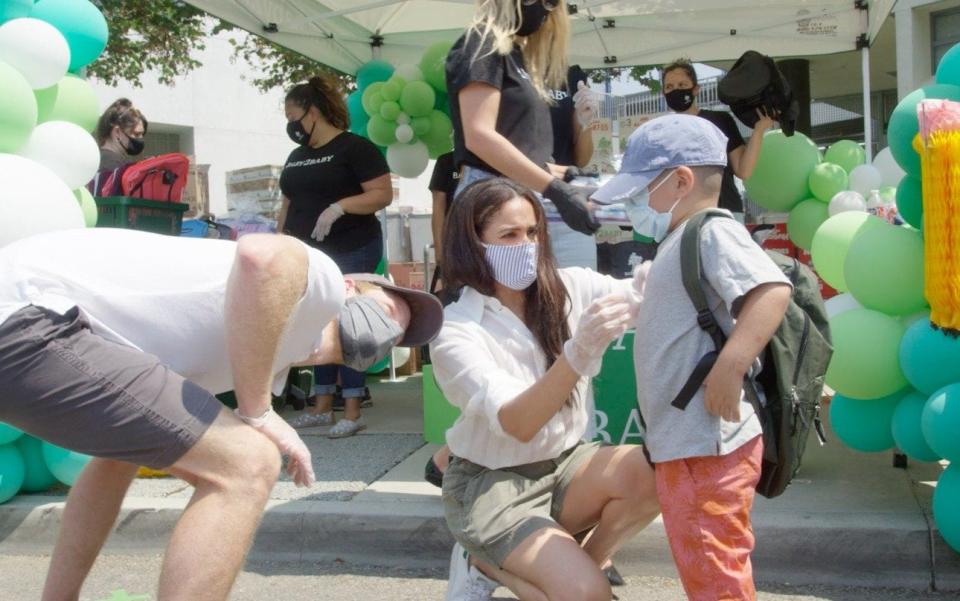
column 839, row 549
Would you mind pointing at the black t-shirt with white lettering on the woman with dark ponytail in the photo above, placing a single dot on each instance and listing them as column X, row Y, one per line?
column 314, row 178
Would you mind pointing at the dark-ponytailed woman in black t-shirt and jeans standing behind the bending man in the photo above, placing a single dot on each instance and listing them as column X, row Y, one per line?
column 333, row 184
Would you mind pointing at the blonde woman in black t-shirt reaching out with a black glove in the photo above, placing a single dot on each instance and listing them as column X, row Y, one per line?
column 498, row 78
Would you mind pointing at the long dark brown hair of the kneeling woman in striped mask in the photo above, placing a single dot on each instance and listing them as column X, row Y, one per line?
column 464, row 262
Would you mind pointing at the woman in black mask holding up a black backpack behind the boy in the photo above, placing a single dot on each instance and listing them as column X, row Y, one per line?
column 680, row 89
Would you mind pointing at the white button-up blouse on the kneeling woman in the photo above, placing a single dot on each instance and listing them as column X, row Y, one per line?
column 485, row 357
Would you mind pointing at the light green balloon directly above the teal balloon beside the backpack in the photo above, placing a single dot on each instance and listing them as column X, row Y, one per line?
column 865, row 362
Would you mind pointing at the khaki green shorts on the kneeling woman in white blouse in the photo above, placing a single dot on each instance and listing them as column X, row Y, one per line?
column 490, row 512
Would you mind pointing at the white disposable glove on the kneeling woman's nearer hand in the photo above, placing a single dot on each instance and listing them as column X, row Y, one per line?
column 603, row 321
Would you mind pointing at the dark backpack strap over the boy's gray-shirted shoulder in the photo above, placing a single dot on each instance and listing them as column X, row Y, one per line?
column 692, row 274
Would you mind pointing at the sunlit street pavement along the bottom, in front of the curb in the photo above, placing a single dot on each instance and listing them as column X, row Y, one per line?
column 22, row 578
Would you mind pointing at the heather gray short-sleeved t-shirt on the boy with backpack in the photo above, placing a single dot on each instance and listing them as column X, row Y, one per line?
column 669, row 343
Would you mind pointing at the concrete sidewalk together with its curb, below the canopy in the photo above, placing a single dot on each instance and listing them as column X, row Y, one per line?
column 848, row 519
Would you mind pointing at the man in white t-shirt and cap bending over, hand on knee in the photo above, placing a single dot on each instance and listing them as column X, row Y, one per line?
column 115, row 341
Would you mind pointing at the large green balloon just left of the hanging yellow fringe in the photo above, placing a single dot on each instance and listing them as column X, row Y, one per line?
column 883, row 270
